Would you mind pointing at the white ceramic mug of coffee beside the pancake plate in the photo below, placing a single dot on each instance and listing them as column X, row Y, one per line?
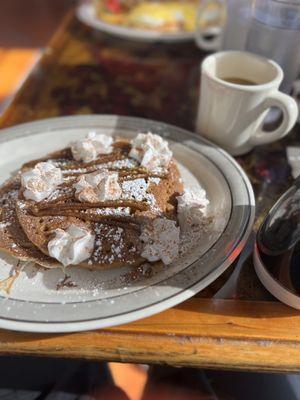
column 232, row 114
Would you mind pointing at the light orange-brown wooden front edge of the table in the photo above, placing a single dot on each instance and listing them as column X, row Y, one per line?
column 256, row 336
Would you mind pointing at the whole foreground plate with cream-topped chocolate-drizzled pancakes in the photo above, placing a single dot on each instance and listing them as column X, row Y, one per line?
column 134, row 217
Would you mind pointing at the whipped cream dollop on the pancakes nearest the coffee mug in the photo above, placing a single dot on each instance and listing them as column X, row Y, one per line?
column 151, row 151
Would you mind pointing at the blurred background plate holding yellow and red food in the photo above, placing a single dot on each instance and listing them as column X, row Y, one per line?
column 141, row 20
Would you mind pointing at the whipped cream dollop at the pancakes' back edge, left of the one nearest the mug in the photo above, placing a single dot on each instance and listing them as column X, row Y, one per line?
column 89, row 148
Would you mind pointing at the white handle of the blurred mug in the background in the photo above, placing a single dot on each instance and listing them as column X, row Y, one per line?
column 216, row 31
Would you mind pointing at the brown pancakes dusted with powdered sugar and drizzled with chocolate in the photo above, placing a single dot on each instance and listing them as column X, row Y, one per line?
column 26, row 226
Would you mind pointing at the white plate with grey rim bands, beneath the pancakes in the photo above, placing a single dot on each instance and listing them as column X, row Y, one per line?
column 98, row 299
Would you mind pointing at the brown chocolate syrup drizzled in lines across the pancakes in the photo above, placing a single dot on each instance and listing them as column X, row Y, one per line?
column 67, row 205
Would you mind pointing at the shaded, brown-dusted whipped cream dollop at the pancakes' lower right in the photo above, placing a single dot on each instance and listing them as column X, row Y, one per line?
column 160, row 240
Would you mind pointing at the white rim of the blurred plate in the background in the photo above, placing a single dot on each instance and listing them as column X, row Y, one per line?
column 86, row 14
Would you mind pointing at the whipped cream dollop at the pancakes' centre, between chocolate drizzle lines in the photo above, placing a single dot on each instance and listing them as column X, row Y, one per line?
column 98, row 186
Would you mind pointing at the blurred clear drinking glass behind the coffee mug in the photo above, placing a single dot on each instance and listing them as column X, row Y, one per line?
column 275, row 33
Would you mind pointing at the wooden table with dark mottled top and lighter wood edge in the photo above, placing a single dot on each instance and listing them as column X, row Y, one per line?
column 83, row 71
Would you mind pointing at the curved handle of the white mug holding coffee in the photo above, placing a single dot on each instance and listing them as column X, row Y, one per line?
column 290, row 114
